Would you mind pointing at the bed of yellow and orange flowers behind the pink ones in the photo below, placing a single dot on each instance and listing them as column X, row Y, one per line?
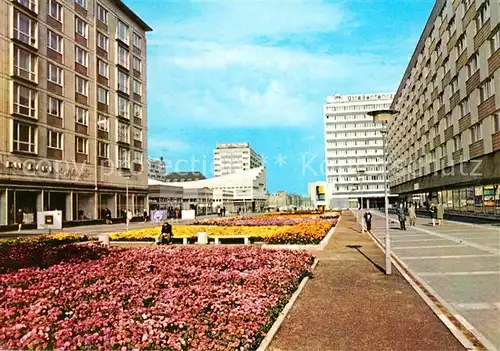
column 303, row 233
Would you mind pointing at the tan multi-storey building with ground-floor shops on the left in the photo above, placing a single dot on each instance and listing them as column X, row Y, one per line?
column 73, row 108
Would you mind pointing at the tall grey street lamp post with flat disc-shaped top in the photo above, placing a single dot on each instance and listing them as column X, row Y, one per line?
column 385, row 117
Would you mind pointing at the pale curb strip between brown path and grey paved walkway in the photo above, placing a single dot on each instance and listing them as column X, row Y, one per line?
column 465, row 333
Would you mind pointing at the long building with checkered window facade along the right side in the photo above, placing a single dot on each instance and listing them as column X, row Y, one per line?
column 444, row 144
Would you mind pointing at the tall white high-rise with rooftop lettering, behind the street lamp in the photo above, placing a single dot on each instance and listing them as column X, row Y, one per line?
column 353, row 149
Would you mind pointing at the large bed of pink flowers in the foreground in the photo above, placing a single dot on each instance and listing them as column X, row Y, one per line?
column 172, row 299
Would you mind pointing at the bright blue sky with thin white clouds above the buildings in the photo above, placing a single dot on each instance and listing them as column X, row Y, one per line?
column 260, row 72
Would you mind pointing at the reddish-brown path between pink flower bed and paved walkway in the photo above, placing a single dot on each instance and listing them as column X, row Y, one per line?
column 352, row 305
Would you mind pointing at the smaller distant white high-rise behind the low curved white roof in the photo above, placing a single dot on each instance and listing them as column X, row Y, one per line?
column 235, row 157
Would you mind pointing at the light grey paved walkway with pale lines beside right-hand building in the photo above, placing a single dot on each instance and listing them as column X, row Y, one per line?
column 460, row 262
